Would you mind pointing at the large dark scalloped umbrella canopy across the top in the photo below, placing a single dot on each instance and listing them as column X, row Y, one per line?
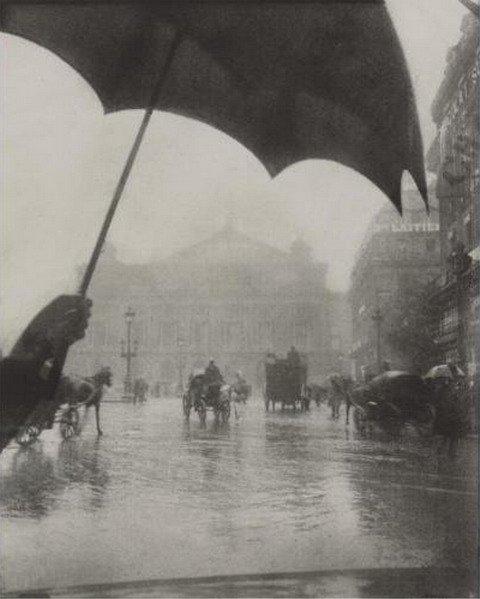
column 291, row 81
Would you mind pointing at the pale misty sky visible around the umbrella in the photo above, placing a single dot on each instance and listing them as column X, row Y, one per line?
column 61, row 157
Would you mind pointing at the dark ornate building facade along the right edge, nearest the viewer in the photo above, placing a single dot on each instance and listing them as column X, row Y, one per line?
column 454, row 158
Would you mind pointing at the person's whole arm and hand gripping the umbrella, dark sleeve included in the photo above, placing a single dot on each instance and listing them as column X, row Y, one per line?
column 23, row 374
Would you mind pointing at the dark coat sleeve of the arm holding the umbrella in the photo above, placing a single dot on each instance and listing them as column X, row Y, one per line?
column 21, row 390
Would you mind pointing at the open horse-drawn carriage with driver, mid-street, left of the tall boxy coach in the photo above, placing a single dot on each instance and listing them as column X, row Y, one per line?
column 204, row 396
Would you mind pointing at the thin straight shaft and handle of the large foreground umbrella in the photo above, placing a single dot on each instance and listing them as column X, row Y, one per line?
column 61, row 354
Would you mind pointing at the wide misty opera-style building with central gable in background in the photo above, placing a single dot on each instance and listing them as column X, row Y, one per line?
column 229, row 297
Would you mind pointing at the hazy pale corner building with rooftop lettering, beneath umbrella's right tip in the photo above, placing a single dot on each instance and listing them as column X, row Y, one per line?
column 398, row 253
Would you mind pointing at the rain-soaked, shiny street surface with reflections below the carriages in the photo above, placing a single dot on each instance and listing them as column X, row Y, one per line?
column 157, row 497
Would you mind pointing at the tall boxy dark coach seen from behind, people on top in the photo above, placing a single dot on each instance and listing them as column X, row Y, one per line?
column 286, row 384
